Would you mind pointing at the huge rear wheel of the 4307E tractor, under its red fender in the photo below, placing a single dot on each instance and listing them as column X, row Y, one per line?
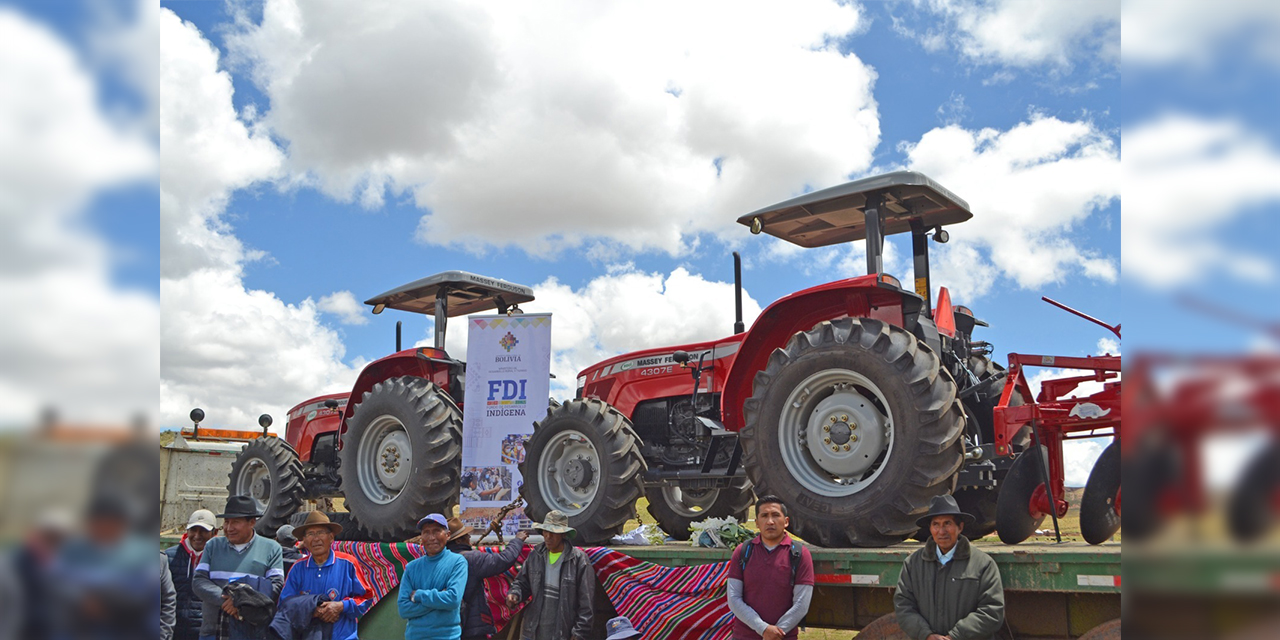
column 856, row 427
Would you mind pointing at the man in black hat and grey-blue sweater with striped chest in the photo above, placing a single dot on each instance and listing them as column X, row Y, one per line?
column 241, row 556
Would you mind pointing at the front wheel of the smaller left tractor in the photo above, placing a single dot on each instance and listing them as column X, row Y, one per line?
column 268, row 470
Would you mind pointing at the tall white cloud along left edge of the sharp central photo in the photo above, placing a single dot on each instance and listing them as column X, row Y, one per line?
column 234, row 351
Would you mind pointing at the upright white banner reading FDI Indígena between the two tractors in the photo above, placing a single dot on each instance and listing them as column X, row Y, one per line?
column 509, row 386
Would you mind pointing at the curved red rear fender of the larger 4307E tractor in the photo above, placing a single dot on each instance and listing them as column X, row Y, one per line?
column 856, row 298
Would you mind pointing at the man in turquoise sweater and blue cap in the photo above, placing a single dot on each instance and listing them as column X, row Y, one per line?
column 432, row 588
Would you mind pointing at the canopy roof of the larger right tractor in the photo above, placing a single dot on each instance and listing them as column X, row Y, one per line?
column 835, row 216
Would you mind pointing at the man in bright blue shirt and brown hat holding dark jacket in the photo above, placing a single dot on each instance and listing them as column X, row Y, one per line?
column 330, row 575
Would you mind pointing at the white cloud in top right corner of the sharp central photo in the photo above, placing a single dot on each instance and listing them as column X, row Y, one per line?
column 1027, row 34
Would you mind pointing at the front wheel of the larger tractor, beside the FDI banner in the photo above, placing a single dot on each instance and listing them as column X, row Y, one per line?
column 584, row 460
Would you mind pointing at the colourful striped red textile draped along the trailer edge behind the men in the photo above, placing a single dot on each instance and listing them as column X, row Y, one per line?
column 679, row 604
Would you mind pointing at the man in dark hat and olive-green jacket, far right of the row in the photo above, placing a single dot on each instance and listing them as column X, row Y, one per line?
column 949, row 589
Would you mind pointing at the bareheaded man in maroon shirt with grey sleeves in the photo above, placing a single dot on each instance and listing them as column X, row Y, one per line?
column 770, row 578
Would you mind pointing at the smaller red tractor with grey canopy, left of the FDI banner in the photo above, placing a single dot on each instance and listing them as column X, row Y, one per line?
column 395, row 450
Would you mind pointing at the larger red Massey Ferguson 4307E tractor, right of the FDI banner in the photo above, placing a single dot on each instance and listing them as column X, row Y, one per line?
column 857, row 401
